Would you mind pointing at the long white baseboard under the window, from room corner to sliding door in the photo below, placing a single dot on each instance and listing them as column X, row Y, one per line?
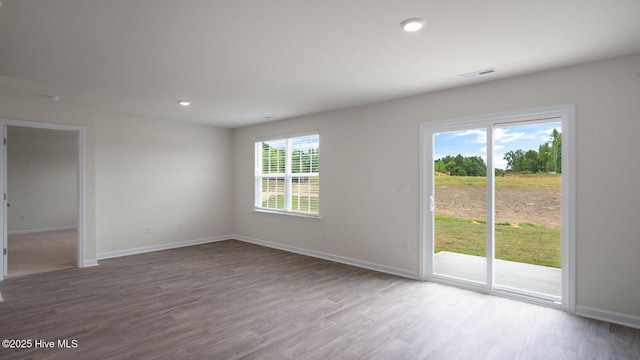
column 335, row 258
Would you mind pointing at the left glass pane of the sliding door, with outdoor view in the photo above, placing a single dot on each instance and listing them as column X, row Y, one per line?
column 460, row 198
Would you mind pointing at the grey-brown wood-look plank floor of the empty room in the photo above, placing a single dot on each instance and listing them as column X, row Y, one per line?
column 233, row 300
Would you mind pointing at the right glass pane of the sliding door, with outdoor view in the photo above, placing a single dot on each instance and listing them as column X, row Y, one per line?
column 528, row 217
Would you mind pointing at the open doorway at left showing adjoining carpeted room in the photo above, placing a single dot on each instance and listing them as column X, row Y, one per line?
column 42, row 217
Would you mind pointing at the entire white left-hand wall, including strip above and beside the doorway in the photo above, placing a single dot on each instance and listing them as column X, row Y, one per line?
column 151, row 173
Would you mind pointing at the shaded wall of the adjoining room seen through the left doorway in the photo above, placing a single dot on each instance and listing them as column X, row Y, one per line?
column 42, row 170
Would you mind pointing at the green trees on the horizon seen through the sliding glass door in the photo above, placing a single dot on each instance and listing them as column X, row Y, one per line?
column 548, row 159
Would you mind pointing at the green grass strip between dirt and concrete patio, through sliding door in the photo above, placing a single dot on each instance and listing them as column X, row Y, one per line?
column 526, row 243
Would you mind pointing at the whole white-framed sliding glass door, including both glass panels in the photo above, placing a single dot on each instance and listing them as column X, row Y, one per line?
column 494, row 190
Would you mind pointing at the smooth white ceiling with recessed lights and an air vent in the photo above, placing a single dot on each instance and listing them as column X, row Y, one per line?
column 240, row 61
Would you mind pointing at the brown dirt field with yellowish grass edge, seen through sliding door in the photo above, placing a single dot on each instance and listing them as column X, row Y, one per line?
column 533, row 199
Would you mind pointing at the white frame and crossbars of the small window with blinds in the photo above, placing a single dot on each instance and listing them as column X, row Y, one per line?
column 287, row 175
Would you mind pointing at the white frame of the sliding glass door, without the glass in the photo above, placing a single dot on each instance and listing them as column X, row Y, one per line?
column 567, row 115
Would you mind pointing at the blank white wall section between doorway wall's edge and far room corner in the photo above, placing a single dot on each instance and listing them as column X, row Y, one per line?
column 160, row 174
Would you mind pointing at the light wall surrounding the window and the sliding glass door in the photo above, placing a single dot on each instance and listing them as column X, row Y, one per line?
column 367, row 153
